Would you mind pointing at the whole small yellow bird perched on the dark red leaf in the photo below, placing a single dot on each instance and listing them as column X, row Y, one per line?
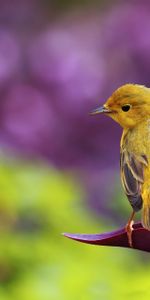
column 129, row 106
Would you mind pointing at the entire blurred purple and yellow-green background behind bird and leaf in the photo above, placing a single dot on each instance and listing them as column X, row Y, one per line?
column 59, row 171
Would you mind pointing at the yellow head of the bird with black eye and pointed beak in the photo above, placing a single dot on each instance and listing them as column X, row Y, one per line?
column 128, row 105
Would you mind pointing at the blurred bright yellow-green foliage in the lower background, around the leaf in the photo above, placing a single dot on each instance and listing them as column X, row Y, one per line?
column 36, row 262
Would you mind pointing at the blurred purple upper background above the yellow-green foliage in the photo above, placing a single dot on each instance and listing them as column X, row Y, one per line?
column 56, row 64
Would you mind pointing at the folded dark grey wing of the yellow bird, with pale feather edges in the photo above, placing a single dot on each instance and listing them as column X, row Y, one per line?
column 132, row 176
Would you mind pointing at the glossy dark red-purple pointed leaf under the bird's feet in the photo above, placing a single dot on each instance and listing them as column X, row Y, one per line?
column 118, row 238
